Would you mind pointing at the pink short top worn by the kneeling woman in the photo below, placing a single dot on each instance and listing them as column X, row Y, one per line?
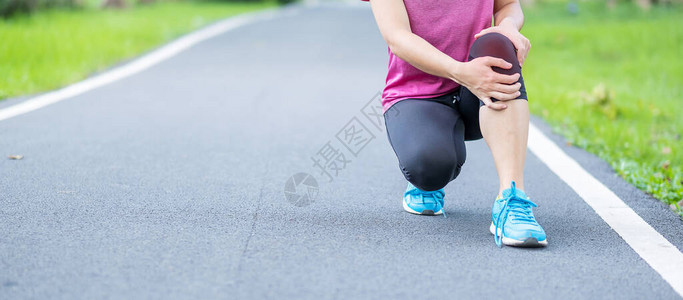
column 450, row 26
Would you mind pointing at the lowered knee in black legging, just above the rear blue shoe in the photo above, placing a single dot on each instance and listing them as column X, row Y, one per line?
column 429, row 170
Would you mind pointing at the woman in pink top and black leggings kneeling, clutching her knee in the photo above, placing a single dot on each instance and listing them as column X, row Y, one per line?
column 454, row 78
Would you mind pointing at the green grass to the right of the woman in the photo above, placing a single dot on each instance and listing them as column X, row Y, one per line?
column 612, row 83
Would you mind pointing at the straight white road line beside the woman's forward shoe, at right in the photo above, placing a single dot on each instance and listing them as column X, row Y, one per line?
column 656, row 250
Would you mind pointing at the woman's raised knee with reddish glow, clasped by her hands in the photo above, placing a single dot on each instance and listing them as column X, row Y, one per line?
column 496, row 45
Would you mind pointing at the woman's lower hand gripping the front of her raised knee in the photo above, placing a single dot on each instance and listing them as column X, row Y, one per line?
column 478, row 76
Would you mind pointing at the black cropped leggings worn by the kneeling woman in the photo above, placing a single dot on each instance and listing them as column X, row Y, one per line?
column 428, row 135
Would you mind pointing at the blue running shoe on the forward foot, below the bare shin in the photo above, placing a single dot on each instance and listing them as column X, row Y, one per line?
column 513, row 221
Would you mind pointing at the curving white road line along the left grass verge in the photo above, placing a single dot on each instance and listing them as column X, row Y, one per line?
column 140, row 64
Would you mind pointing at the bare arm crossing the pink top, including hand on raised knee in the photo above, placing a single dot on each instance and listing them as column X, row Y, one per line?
column 476, row 75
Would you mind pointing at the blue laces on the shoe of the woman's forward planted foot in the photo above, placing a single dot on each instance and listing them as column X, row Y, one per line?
column 520, row 208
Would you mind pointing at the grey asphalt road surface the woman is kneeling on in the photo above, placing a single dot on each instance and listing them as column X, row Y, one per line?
column 170, row 184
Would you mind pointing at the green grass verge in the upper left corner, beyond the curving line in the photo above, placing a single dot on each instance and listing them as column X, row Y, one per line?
column 52, row 48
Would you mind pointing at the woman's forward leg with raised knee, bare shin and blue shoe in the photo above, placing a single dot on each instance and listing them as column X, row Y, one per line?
column 506, row 132
